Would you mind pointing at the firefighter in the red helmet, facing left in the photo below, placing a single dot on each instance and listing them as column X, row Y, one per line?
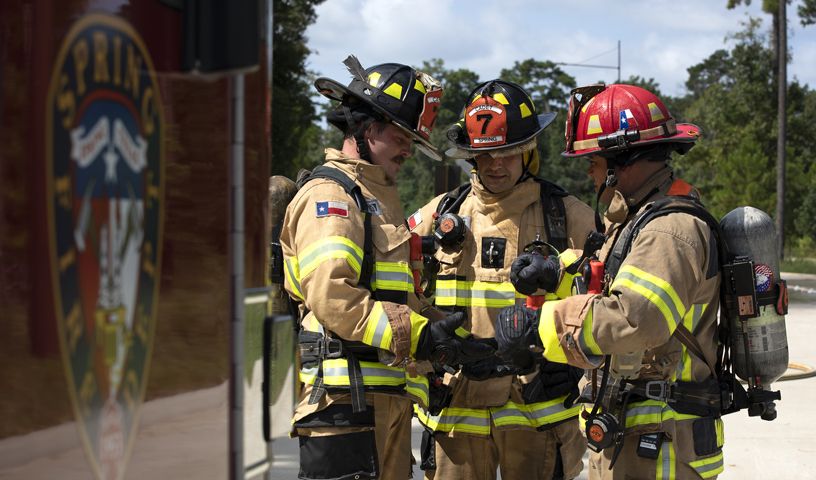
column 655, row 403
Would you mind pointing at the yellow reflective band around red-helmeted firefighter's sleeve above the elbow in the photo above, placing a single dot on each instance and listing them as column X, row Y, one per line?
column 657, row 291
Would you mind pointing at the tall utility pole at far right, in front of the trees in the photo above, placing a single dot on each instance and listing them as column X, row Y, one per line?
column 782, row 86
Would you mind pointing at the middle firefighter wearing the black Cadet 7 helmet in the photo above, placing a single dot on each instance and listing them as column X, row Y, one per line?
column 500, row 417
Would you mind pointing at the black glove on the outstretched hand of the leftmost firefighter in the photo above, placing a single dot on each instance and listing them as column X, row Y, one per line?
column 440, row 344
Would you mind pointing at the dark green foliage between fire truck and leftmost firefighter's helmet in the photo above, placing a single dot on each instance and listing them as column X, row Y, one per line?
column 294, row 131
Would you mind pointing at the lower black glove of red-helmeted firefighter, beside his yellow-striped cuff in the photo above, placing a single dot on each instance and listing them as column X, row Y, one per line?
column 516, row 332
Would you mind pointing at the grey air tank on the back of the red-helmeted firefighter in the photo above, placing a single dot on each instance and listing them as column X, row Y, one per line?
column 751, row 236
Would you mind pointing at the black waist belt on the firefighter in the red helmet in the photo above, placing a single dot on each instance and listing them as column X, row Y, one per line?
column 695, row 398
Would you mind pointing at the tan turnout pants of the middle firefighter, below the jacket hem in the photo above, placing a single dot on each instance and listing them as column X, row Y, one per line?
column 520, row 454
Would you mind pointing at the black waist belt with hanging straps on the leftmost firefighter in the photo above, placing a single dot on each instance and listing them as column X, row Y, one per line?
column 315, row 347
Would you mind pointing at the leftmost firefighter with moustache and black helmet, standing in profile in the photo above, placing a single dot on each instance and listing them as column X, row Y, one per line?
column 346, row 263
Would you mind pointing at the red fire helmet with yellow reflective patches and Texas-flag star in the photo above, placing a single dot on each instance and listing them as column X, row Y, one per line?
column 606, row 119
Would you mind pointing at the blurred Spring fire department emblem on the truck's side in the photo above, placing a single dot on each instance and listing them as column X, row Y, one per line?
column 105, row 201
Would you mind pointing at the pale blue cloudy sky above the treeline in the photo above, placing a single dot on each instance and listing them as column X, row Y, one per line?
column 660, row 39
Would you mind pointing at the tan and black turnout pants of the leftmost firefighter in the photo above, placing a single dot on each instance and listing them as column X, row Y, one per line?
column 338, row 444
